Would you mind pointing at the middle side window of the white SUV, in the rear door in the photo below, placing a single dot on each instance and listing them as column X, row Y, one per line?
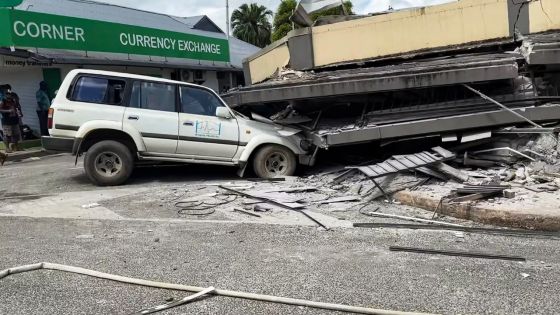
column 154, row 96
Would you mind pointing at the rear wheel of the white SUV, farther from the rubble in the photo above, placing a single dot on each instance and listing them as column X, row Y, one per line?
column 108, row 163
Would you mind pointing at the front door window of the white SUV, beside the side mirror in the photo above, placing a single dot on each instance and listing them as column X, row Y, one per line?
column 199, row 101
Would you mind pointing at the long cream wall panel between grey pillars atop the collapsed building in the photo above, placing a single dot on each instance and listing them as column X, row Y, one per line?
column 411, row 30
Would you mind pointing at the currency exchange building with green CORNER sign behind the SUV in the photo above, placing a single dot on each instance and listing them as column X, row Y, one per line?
column 42, row 40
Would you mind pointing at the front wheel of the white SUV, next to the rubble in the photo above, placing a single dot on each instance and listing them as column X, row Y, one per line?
column 274, row 161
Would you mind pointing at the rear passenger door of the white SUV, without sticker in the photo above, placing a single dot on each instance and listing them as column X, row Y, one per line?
column 153, row 112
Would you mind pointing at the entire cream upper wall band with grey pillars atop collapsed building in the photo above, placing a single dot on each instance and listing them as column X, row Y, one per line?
column 448, row 26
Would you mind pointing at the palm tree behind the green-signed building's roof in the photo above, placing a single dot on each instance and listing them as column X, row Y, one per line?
column 251, row 24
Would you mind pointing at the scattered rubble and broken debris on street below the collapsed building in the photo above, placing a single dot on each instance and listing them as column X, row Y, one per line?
column 524, row 174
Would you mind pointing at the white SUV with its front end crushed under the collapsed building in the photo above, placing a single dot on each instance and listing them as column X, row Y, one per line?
column 118, row 119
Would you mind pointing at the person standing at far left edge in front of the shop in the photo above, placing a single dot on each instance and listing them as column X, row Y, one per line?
column 10, row 120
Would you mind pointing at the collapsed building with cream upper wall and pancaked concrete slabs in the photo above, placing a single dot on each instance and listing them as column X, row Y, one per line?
column 449, row 71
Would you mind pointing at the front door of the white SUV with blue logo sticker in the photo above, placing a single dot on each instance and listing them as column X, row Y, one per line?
column 202, row 134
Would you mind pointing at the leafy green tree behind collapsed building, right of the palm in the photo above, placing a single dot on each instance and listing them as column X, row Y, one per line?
column 283, row 25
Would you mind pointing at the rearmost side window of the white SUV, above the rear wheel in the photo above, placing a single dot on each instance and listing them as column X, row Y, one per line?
column 99, row 90
